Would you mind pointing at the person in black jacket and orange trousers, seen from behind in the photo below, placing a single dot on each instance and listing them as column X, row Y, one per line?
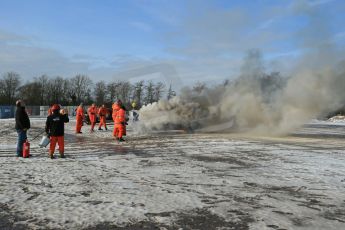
column 55, row 129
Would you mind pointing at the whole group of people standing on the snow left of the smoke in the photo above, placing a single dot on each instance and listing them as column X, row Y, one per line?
column 57, row 117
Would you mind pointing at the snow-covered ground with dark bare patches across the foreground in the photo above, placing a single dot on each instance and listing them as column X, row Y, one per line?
column 176, row 180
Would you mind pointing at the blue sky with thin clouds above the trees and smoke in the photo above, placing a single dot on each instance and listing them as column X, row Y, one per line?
column 179, row 42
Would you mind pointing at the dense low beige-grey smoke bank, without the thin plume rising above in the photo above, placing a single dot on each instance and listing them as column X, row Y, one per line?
column 256, row 102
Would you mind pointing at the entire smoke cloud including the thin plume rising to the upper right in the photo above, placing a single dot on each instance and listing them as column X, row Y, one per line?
column 258, row 102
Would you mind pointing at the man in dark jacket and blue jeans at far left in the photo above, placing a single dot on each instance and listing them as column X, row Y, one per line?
column 22, row 125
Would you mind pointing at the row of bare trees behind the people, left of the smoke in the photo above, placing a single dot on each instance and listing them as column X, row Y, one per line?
column 45, row 90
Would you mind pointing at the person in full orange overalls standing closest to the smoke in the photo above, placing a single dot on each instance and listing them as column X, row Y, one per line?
column 119, row 119
